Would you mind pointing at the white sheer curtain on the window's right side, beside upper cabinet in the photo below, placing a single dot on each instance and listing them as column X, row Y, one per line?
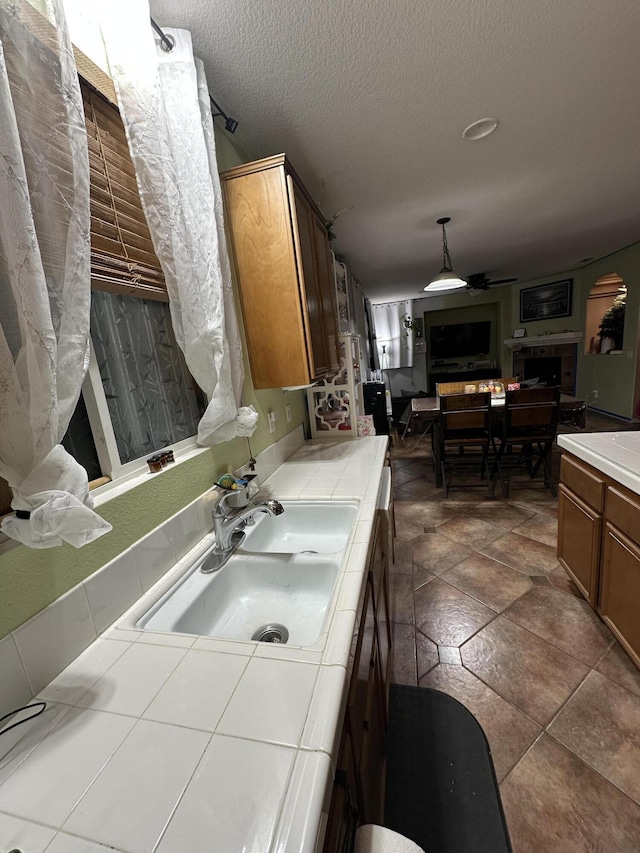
column 170, row 133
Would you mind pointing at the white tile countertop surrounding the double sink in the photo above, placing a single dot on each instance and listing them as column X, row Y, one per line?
column 159, row 743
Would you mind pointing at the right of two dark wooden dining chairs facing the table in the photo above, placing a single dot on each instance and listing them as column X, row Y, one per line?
column 530, row 423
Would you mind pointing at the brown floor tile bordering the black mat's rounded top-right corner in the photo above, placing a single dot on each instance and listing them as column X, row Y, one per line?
column 509, row 732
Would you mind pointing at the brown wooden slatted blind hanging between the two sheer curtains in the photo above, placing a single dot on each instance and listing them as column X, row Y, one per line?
column 122, row 256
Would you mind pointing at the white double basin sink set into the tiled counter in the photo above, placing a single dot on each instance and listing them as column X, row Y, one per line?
column 276, row 587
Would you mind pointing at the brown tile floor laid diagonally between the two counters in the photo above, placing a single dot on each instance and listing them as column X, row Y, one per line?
column 484, row 612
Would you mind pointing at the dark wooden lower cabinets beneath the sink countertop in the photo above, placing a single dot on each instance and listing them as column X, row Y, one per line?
column 359, row 785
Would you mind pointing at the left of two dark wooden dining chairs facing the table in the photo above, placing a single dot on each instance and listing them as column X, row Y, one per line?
column 465, row 423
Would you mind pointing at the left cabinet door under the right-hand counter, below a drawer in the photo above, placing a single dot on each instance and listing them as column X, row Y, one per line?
column 579, row 535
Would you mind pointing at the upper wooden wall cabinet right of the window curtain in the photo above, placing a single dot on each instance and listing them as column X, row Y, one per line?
column 281, row 252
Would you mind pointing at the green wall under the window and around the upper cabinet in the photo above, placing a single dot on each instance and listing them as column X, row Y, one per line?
column 31, row 579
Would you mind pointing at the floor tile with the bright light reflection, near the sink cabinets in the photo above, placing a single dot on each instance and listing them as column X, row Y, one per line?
column 448, row 616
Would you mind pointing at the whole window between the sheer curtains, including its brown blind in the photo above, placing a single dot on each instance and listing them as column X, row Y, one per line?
column 140, row 395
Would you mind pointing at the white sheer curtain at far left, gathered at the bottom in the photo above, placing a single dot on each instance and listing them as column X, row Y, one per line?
column 44, row 277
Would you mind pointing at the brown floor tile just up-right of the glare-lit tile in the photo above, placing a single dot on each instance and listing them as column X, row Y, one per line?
column 492, row 583
